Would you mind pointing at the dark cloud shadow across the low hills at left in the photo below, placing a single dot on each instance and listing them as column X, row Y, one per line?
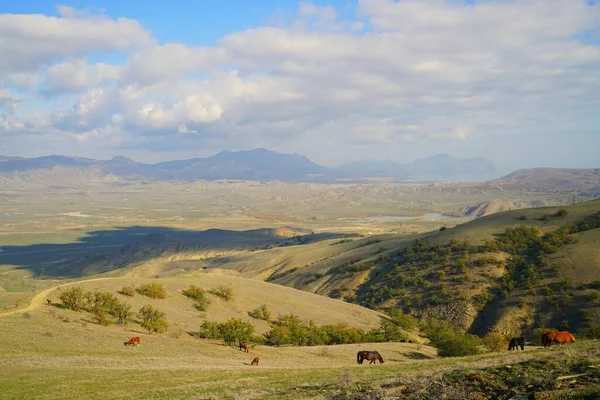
column 106, row 250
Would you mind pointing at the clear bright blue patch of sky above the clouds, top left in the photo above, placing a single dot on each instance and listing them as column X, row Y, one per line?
column 201, row 22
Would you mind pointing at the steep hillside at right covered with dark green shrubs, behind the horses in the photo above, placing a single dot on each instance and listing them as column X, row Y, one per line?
column 512, row 272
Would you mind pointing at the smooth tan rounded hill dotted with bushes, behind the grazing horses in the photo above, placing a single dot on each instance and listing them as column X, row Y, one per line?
column 248, row 294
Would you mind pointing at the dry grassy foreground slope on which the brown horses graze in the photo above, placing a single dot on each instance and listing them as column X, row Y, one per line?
column 45, row 358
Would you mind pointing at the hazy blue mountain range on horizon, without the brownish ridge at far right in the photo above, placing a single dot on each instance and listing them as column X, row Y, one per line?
column 257, row 164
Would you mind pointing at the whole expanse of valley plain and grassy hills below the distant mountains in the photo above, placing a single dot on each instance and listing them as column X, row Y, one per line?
column 332, row 254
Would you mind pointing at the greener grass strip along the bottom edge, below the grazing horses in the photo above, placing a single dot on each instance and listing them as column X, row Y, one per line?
column 18, row 382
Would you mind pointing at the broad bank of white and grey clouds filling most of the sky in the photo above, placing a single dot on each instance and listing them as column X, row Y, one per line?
column 412, row 72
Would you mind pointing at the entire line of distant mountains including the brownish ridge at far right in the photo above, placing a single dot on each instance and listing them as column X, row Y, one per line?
column 265, row 165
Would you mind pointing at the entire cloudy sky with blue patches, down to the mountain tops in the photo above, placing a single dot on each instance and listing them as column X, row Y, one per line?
column 515, row 81
